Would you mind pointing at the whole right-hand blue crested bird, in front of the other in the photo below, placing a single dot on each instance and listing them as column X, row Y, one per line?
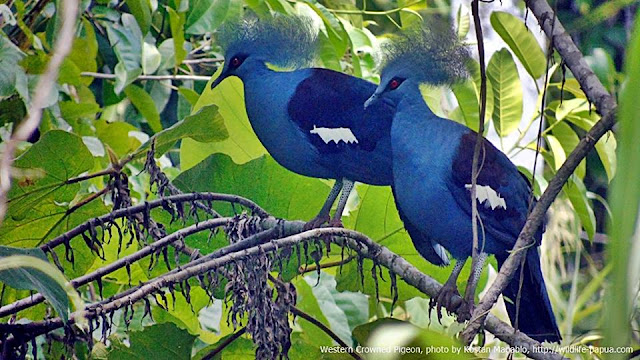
column 432, row 159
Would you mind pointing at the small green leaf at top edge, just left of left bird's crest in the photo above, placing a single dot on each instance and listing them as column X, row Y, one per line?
column 206, row 15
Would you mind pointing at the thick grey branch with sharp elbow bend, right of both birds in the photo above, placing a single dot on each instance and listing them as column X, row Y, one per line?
column 606, row 106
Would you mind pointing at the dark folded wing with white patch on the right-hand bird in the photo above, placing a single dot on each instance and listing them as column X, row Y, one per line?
column 502, row 192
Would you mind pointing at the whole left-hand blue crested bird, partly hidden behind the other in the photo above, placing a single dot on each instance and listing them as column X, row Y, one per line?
column 312, row 121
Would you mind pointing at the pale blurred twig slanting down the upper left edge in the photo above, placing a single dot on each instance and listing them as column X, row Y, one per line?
column 45, row 86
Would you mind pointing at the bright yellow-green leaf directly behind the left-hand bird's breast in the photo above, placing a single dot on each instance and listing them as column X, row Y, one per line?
column 242, row 144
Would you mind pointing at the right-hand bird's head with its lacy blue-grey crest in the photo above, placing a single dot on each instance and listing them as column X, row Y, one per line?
column 430, row 54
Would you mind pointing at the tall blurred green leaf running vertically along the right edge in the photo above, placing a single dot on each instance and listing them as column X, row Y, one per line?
column 625, row 205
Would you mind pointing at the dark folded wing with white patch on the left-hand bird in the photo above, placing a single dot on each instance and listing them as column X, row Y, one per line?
column 328, row 107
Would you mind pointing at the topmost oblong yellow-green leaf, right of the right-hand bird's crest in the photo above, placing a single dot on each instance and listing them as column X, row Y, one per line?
column 523, row 44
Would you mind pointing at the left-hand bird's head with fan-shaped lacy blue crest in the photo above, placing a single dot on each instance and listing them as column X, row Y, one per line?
column 283, row 41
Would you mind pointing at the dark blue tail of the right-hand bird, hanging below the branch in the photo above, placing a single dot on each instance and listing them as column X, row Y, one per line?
column 534, row 314
